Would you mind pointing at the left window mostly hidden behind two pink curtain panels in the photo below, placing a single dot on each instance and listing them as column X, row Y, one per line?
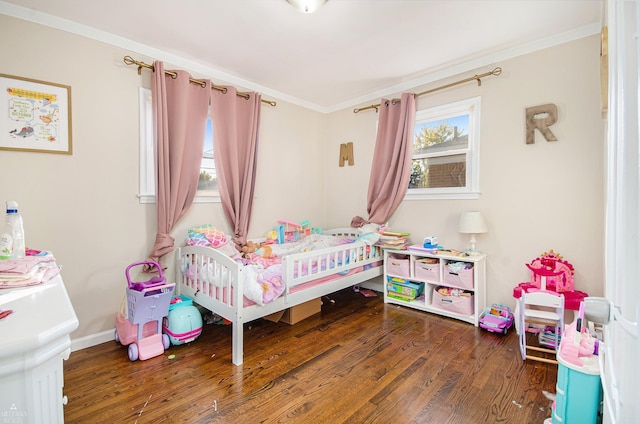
column 208, row 183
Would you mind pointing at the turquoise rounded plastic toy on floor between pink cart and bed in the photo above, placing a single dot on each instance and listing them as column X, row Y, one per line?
column 183, row 324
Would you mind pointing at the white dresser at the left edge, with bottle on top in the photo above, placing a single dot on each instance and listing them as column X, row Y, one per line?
column 35, row 341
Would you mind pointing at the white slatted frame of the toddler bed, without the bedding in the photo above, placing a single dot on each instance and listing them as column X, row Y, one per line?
column 229, row 272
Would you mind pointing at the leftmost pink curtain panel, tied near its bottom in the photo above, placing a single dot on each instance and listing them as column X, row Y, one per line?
column 180, row 111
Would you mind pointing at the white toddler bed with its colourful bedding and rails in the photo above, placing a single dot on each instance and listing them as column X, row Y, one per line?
column 240, row 291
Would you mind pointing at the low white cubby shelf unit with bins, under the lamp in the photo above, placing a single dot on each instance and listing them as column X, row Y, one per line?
column 410, row 266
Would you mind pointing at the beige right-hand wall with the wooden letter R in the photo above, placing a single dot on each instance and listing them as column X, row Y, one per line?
column 549, row 195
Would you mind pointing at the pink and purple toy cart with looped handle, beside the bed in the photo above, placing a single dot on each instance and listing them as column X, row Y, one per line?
column 147, row 305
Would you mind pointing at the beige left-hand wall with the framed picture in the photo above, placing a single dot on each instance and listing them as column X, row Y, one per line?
column 84, row 207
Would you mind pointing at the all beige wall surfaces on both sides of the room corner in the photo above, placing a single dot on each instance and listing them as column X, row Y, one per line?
column 84, row 207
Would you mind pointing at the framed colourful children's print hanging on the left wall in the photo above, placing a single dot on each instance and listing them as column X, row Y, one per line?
column 35, row 116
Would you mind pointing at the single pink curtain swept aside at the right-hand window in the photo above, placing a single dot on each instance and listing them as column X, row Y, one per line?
column 391, row 167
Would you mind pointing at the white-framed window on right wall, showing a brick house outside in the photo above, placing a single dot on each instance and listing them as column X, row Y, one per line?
column 445, row 161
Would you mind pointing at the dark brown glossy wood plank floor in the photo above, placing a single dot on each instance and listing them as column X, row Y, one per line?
column 358, row 361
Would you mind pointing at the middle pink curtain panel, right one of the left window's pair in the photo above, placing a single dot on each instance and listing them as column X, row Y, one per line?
column 235, row 133
